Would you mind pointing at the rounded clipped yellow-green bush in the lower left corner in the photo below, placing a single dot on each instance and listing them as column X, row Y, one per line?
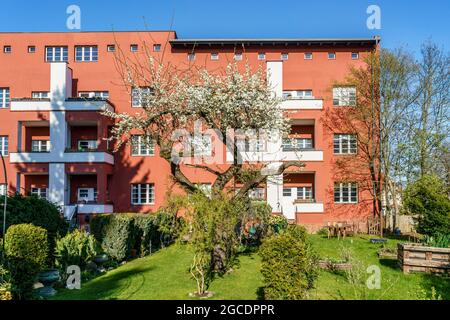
column 26, row 249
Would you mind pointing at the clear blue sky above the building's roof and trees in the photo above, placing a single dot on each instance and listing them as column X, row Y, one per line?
column 403, row 23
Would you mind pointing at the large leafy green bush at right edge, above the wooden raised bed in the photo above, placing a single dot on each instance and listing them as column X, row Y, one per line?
column 428, row 198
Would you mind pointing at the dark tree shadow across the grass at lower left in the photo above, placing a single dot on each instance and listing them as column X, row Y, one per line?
column 109, row 286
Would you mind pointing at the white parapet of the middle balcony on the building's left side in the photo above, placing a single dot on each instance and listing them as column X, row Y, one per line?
column 66, row 157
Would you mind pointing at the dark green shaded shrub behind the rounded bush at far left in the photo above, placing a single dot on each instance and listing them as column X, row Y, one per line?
column 38, row 212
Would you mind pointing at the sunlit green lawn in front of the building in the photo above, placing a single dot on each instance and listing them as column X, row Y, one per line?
column 164, row 275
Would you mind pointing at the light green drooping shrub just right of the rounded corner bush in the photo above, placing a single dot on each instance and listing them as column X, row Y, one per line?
column 76, row 248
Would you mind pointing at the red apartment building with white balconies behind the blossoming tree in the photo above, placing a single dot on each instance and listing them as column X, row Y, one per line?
column 53, row 87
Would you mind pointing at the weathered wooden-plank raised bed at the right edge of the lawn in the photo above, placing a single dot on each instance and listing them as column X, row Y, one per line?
column 417, row 258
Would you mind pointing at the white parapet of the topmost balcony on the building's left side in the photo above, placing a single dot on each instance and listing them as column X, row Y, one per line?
column 71, row 104
